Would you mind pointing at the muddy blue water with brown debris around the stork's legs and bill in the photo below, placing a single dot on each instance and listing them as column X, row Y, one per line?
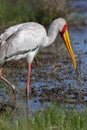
column 53, row 76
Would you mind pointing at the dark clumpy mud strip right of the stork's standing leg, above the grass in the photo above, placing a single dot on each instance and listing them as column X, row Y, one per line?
column 63, row 95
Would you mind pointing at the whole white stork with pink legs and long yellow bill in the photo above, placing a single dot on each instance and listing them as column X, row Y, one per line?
column 25, row 39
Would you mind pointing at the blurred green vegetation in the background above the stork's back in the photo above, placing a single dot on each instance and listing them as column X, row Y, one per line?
column 13, row 12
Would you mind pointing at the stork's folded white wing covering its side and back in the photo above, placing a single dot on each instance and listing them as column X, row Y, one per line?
column 28, row 37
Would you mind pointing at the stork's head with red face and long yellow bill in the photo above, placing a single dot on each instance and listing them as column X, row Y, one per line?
column 63, row 29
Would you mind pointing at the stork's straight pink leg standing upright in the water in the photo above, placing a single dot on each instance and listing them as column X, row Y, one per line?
column 28, row 80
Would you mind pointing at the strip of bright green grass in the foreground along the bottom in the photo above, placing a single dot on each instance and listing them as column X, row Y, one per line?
column 51, row 118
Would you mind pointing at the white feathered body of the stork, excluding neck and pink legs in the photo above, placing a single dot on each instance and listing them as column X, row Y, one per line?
column 18, row 39
